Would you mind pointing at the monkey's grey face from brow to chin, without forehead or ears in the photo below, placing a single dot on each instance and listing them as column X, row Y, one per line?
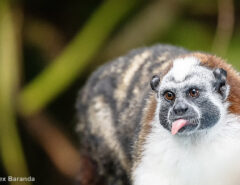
column 190, row 110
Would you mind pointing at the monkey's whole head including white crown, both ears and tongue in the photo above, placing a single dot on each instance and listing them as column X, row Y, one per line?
column 191, row 98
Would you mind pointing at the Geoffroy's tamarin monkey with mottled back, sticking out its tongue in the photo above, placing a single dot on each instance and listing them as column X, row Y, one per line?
column 162, row 115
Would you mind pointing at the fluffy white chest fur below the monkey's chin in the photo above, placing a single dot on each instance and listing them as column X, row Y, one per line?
column 212, row 158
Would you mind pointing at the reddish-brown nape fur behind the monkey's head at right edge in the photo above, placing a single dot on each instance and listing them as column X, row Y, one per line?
column 233, row 78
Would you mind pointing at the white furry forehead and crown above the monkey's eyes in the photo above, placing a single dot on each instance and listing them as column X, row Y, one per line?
column 187, row 71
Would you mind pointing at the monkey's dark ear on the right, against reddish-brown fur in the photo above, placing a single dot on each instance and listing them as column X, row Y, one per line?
column 221, row 85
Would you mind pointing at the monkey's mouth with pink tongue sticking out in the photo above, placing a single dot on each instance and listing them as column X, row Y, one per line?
column 183, row 125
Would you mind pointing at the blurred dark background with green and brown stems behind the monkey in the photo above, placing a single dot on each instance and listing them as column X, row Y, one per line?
column 48, row 49
